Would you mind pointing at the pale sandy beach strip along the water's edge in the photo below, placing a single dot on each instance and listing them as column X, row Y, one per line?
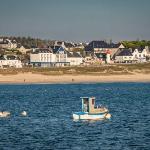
column 39, row 78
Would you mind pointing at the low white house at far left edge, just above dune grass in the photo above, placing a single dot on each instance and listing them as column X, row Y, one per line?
column 10, row 61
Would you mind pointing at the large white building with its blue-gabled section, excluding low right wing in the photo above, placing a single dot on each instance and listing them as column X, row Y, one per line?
column 54, row 56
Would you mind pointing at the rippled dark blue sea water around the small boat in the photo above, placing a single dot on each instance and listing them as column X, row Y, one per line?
column 49, row 123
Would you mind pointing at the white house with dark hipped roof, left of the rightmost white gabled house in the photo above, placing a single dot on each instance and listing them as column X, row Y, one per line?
column 125, row 56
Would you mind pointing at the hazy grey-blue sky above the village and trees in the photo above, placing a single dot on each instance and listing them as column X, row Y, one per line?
column 76, row 20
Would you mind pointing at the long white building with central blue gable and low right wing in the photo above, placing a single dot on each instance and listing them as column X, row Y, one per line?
column 55, row 56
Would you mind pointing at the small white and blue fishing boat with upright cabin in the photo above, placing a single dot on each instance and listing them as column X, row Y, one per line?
column 90, row 112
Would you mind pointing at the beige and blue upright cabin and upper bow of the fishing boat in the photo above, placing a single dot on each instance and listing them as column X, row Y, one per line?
column 88, row 105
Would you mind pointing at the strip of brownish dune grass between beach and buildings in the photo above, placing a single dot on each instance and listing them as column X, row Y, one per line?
column 92, row 70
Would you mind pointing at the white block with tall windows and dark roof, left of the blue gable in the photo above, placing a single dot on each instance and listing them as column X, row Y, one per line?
column 42, row 58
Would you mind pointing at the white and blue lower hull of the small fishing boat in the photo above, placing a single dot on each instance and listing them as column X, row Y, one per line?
column 87, row 116
